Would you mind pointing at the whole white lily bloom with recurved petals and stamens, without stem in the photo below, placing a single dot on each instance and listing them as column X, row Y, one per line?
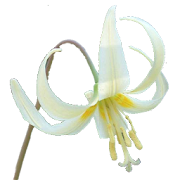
column 109, row 101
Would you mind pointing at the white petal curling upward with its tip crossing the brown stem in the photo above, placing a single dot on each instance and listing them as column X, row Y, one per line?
column 49, row 102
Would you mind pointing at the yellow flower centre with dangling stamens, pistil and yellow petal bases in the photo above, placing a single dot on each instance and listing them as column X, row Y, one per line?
column 110, row 114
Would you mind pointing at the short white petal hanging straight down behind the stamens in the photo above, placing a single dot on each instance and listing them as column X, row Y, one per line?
column 101, row 125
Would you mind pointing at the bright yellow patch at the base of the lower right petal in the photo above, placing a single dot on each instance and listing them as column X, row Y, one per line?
column 123, row 100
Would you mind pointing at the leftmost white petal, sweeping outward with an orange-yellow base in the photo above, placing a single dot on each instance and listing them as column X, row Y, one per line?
column 32, row 115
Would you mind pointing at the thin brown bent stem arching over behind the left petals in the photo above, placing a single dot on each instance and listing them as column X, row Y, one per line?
column 30, row 128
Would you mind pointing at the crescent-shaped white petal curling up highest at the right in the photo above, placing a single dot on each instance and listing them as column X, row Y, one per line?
column 159, row 56
